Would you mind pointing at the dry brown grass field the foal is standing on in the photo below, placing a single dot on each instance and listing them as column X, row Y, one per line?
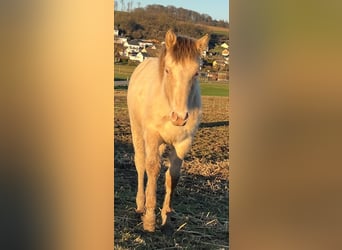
column 201, row 216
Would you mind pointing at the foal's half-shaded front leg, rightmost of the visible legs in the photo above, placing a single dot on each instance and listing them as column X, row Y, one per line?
column 176, row 157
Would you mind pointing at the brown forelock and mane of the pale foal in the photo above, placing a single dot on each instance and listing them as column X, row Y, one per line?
column 185, row 48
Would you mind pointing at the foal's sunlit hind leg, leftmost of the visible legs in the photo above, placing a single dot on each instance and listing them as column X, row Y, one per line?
column 139, row 159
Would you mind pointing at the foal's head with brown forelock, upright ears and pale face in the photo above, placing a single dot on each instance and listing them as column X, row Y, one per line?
column 179, row 68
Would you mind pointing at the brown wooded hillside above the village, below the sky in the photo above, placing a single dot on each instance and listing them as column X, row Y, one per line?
column 152, row 22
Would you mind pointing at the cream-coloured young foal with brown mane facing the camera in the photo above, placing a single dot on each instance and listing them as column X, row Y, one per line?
column 164, row 108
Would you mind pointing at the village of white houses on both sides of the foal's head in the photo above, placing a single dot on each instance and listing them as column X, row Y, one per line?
column 214, row 62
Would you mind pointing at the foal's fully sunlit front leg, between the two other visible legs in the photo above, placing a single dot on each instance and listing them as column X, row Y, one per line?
column 152, row 164
